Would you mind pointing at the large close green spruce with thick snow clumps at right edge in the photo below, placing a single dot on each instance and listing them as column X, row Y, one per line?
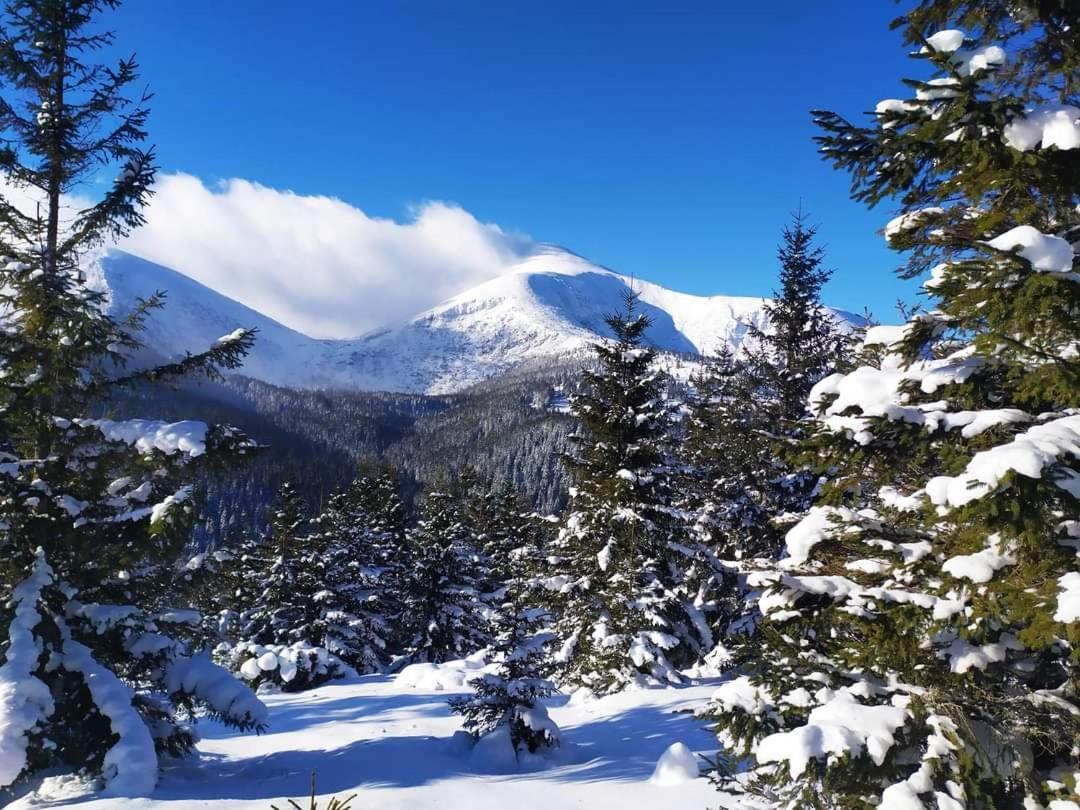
column 922, row 638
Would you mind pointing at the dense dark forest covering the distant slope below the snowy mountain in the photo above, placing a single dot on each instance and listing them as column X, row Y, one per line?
column 508, row 430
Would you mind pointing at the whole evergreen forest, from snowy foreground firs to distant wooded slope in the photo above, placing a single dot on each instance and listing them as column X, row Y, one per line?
column 865, row 538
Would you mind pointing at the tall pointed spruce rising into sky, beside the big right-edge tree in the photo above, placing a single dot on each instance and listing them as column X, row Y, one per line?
column 742, row 485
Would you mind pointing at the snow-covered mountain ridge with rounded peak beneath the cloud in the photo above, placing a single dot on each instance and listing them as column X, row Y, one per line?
column 552, row 305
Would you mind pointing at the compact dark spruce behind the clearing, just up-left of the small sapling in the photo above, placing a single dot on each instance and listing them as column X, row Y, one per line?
column 443, row 614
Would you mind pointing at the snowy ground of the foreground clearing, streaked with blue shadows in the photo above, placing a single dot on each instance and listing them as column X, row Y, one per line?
column 394, row 746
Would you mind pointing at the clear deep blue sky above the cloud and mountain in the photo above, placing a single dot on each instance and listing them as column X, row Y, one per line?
column 667, row 140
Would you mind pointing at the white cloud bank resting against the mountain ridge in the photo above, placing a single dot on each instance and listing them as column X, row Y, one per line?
column 318, row 264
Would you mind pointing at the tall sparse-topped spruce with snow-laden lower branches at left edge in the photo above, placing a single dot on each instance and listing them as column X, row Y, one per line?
column 96, row 673
